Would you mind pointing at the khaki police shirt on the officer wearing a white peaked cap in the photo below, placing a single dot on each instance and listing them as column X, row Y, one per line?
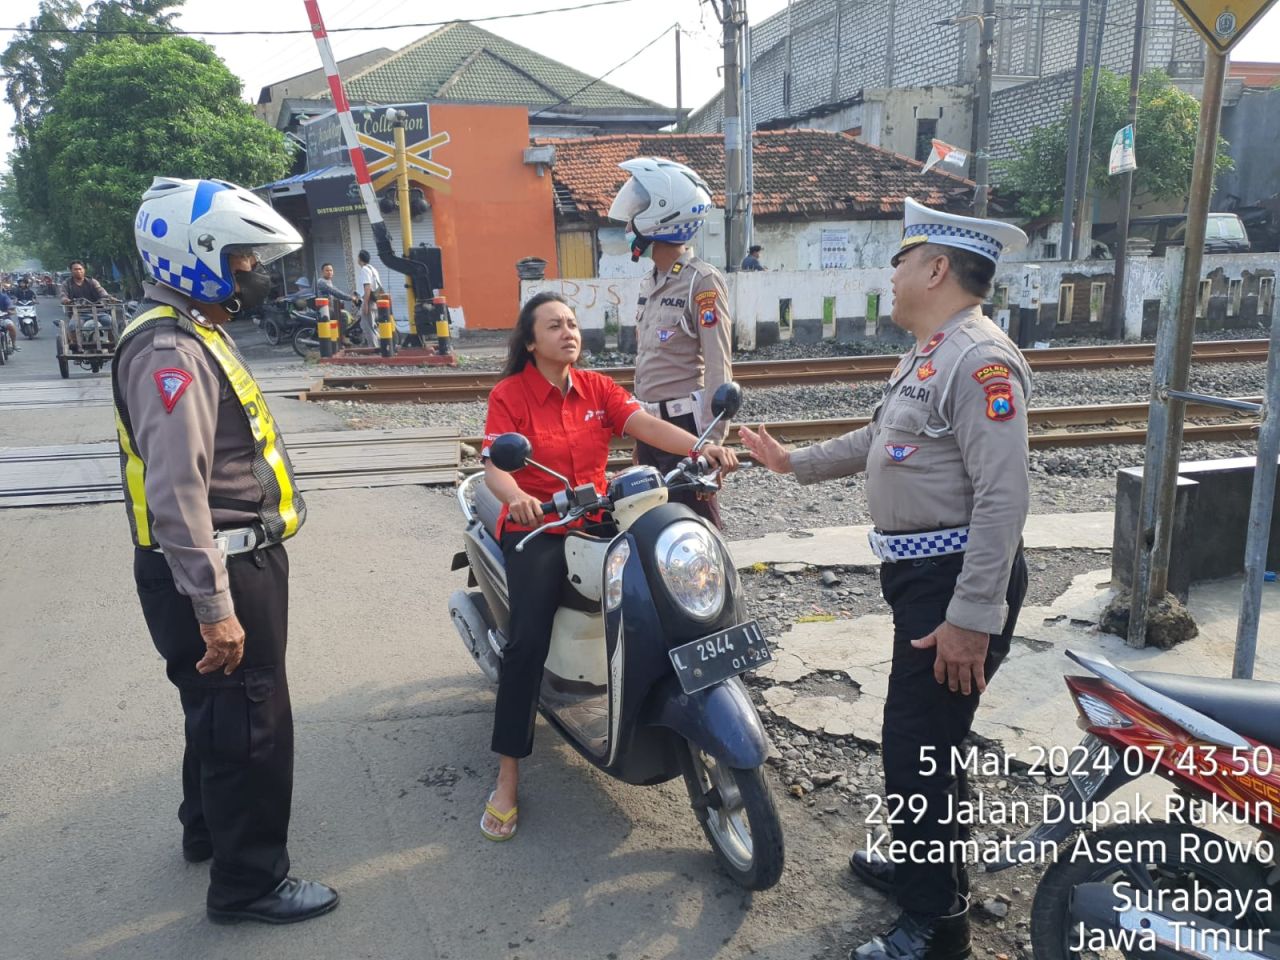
column 948, row 449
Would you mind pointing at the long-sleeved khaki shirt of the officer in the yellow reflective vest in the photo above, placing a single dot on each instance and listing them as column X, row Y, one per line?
column 199, row 456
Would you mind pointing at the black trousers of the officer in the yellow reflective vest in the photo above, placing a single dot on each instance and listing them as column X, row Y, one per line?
column 237, row 771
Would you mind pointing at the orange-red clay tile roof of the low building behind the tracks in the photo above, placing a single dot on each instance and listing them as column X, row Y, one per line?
column 802, row 173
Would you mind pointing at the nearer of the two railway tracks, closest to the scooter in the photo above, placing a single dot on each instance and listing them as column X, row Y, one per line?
column 1050, row 427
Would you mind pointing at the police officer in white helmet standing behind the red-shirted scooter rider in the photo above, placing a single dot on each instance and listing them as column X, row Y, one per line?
column 684, row 341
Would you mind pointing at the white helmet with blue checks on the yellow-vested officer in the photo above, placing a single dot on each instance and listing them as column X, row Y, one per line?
column 186, row 230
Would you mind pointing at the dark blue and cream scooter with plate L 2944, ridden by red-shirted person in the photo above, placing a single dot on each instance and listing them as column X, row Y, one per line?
column 643, row 678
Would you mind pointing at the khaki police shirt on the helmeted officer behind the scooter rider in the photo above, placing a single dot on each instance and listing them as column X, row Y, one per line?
column 684, row 342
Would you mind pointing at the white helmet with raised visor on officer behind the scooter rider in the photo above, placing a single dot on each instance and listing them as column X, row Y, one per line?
column 662, row 202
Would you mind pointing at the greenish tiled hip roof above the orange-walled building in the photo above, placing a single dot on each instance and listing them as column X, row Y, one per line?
column 461, row 62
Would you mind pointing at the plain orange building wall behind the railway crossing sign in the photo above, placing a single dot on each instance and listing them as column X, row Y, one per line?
column 499, row 211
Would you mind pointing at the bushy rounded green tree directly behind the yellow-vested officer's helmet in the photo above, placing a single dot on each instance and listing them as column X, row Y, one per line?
column 126, row 113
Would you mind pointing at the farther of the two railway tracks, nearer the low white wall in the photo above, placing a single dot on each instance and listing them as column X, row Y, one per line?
column 461, row 387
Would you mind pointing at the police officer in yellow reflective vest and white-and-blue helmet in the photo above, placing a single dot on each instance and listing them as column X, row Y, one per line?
column 211, row 497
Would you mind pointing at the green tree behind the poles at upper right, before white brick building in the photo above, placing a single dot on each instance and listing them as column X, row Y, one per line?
column 1164, row 141
